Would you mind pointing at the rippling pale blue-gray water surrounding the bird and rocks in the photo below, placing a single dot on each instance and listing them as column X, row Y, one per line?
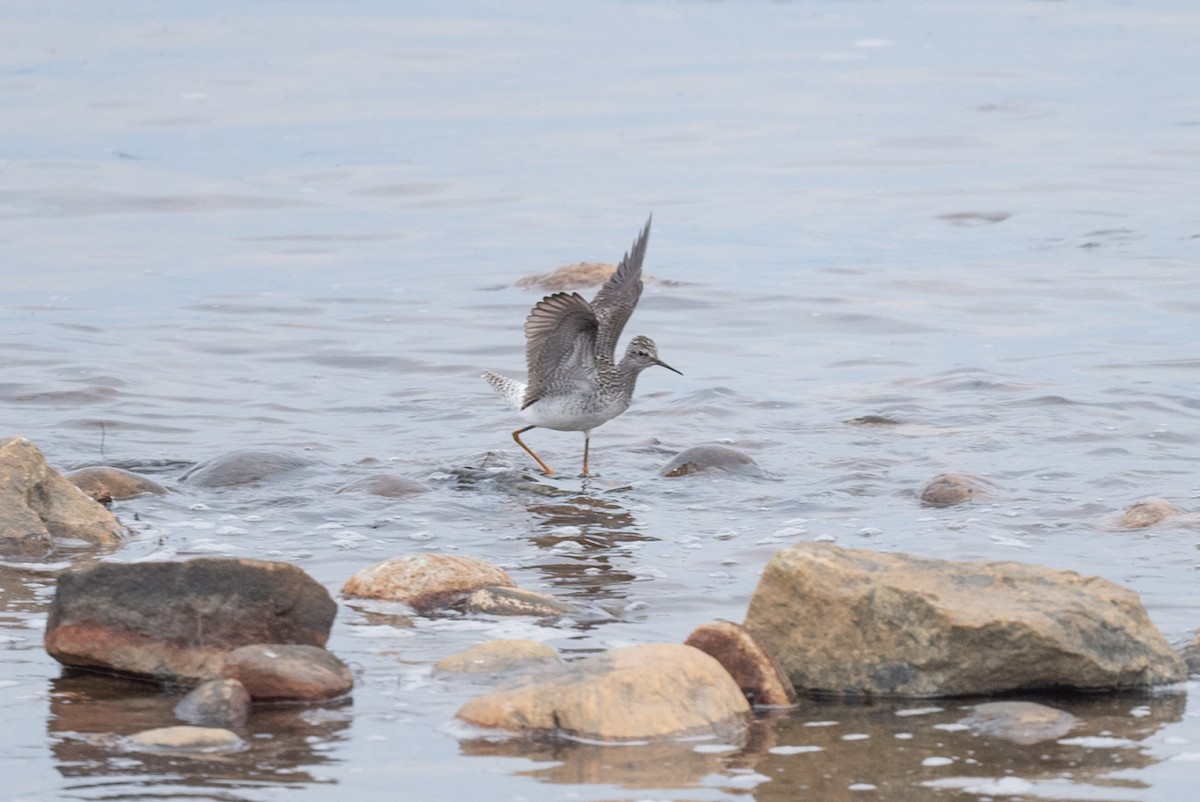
column 297, row 228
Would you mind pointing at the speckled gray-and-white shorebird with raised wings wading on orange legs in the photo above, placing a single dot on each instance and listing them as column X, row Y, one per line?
column 574, row 382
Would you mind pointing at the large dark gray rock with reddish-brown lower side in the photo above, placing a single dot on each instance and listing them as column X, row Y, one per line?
column 176, row 623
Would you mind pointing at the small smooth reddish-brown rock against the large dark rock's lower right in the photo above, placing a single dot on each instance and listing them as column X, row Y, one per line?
column 289, row 673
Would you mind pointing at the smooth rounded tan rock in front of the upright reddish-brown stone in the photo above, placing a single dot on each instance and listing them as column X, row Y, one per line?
column 633, row 693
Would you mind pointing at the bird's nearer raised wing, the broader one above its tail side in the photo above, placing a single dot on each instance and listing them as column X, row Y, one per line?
column 561, row 344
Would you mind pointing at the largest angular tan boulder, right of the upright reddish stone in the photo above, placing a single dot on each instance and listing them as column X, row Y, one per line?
column 859, row 623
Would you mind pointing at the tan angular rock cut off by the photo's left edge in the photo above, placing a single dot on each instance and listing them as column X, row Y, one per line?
column 39, row 506
